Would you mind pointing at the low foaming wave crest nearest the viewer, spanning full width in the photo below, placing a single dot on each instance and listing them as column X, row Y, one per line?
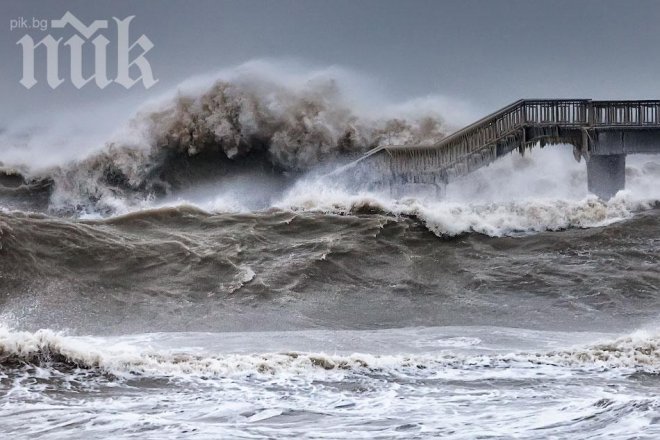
column 639, row 351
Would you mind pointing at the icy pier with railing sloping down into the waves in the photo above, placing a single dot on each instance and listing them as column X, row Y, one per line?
column 601, row 132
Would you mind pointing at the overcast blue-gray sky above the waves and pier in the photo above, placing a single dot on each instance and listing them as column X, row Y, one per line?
column 487, row 53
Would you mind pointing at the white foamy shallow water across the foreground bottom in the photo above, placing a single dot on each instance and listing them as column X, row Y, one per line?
column 464, row 386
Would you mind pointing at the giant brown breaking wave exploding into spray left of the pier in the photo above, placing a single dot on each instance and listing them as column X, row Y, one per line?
column 249, row 121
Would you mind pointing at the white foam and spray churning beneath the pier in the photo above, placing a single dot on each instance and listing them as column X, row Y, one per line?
column 545, row 191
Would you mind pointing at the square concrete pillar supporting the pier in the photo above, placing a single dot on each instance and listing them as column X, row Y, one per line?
column 606, row 174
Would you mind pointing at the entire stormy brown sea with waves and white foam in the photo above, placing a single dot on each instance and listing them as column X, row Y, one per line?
column 212, row 286
